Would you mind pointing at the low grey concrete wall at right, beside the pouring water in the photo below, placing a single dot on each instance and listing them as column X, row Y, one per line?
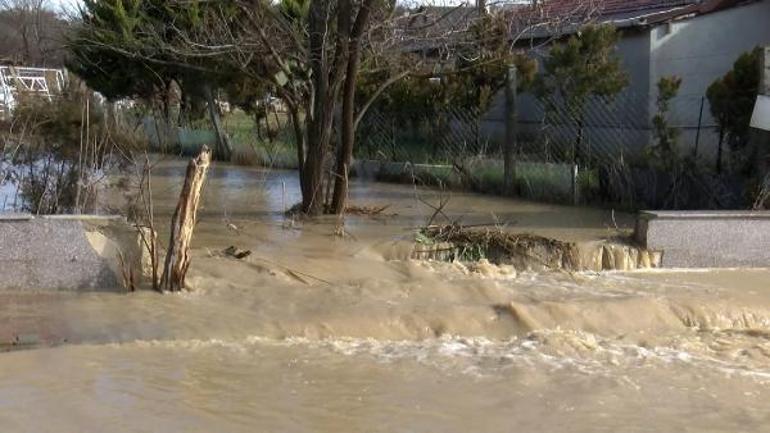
column 707, row 239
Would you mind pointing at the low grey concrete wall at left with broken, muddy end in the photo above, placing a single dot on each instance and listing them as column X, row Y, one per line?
column 66, row 252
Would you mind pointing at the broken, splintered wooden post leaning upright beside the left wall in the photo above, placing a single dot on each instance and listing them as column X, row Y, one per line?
column 183, row 223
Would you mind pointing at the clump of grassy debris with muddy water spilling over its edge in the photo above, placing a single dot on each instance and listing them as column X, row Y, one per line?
column 455, row 242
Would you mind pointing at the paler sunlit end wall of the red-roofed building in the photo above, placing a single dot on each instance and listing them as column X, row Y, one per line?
column 700, row 50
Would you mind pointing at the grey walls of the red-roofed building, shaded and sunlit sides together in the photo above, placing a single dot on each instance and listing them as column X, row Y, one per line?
column 698, row 49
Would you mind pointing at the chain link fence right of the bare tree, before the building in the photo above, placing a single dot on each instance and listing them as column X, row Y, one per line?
column 608, row 158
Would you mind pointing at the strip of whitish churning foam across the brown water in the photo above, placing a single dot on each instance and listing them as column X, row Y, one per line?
column 580, row 352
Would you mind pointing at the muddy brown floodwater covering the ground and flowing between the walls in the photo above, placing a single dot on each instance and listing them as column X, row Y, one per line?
column 315, row 333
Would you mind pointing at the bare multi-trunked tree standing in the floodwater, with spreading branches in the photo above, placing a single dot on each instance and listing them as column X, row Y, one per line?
column 312, row 59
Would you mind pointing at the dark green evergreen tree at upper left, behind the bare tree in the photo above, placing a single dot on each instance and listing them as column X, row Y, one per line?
column 121, row 50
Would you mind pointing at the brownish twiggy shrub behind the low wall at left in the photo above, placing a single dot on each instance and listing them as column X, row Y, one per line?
column 65, row 148
